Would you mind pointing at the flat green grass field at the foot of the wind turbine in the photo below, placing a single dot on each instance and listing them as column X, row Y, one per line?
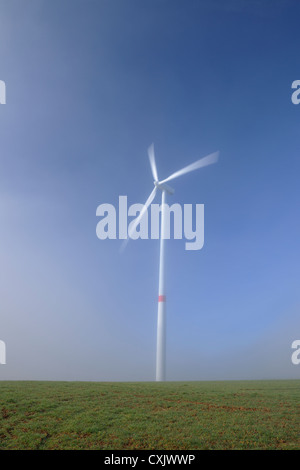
column 170, row 415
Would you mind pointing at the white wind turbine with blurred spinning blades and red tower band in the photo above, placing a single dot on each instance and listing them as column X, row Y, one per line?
column 165, row 189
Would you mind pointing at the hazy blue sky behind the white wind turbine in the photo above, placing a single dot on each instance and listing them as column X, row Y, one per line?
column 90, row 85
